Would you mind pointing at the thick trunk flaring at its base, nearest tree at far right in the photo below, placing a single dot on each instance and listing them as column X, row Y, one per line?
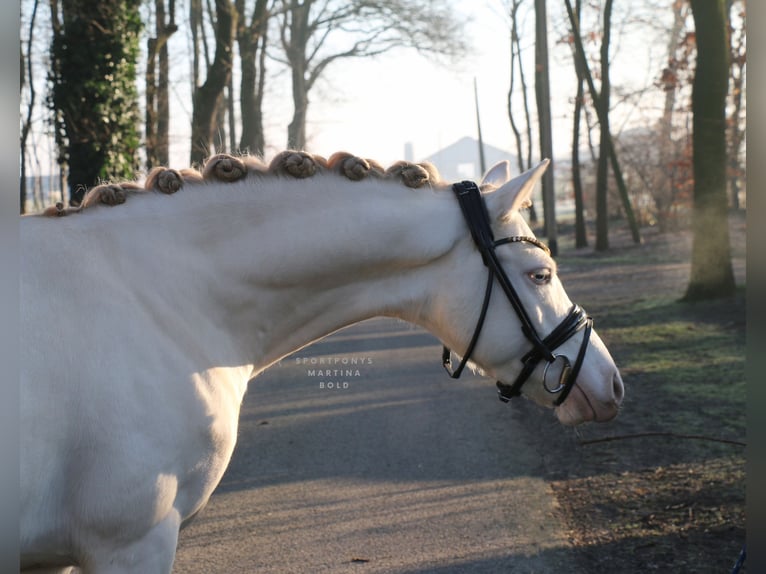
column 712, row 274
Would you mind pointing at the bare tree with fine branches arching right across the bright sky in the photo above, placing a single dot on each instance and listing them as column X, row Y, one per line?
column 363, row 28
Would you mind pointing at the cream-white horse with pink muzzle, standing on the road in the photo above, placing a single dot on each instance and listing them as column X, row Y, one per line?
column 137, row 350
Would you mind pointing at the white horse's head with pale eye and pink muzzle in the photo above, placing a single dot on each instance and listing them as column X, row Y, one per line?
column 597, row 389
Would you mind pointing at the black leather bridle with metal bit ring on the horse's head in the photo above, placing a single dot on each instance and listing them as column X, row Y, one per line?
column 476, row 216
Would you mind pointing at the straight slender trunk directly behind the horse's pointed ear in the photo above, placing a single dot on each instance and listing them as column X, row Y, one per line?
column 542, row 91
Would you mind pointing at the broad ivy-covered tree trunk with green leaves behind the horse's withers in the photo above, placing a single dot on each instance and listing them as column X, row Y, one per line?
column 93, row 95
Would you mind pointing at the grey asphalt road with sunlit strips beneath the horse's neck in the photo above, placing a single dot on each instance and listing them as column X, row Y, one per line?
column 396, row 468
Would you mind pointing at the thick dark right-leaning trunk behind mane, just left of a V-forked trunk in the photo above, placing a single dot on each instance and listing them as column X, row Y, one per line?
column 207, row 96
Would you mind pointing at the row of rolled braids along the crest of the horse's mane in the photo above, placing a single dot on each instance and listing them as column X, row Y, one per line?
column 228, row 168
